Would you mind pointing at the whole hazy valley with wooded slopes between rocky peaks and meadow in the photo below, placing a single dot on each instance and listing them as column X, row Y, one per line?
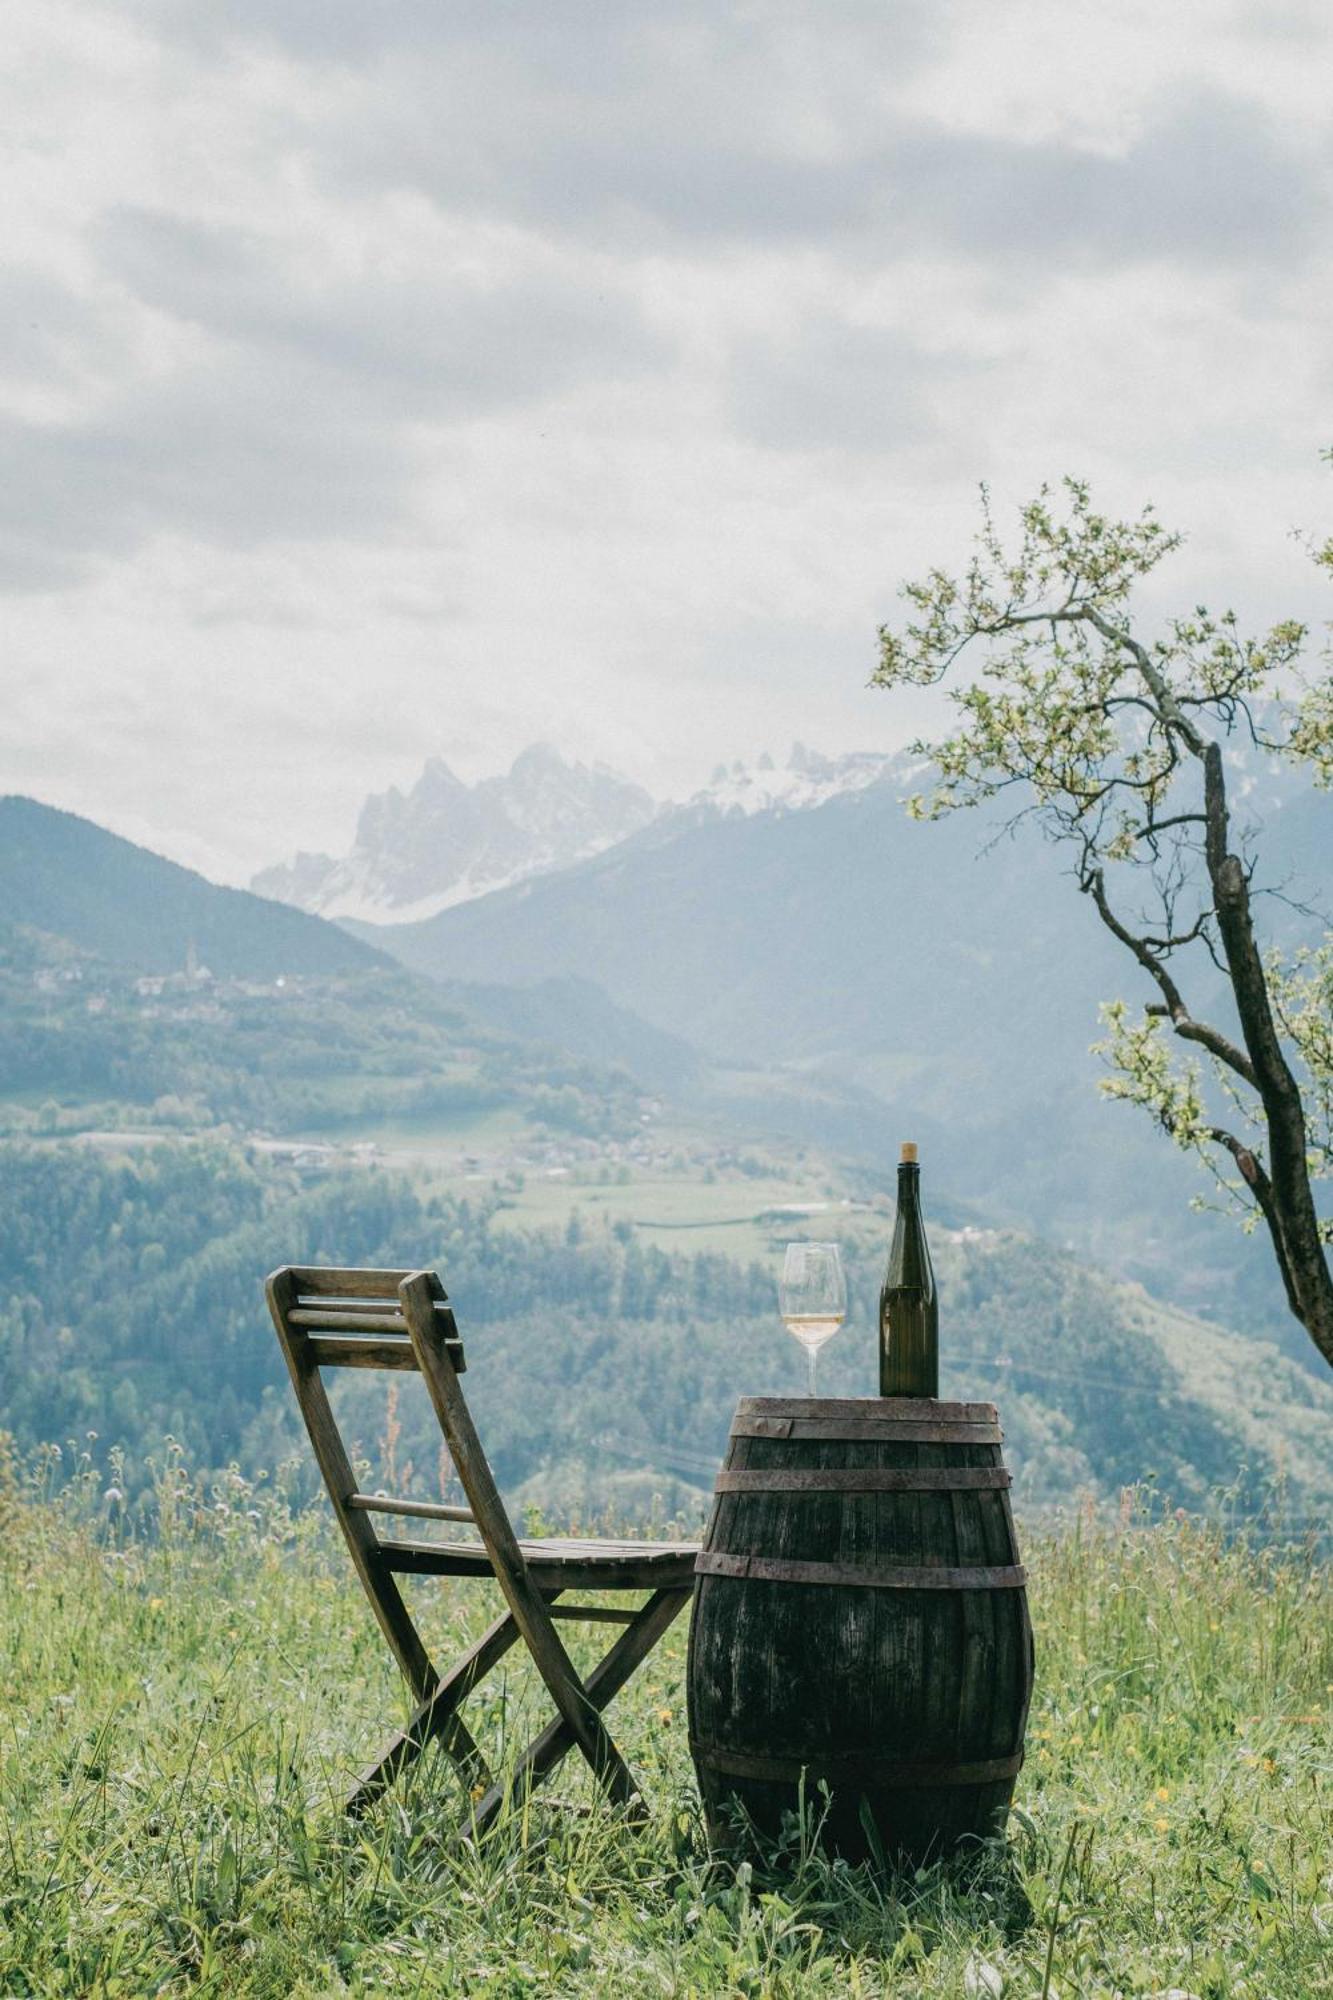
column 605, row 1149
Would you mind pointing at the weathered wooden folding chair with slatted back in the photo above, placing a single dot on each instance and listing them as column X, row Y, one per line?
column 391, row 1319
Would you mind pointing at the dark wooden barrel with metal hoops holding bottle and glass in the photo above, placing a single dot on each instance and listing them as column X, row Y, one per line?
column 862, row 1619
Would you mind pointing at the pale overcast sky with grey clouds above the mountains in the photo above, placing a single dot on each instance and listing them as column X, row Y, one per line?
column 427, row 379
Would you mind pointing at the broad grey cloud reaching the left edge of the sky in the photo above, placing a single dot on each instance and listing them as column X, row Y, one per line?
column 299, row 403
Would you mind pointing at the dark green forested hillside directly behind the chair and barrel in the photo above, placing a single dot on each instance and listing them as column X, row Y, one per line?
column 603, row 1373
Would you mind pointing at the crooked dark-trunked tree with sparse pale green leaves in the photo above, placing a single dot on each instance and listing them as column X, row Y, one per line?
column 1116, row 745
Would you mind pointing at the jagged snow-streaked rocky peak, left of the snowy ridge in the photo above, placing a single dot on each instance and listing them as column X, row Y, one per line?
column 447, row 841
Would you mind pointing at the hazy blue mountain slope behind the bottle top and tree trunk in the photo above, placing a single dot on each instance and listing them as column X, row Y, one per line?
column 948, row 977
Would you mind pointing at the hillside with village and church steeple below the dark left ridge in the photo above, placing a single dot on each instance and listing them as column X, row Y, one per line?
column 87, row 1043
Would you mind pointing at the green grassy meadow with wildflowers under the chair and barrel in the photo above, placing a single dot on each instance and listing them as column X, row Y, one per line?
column 183, row 1697
